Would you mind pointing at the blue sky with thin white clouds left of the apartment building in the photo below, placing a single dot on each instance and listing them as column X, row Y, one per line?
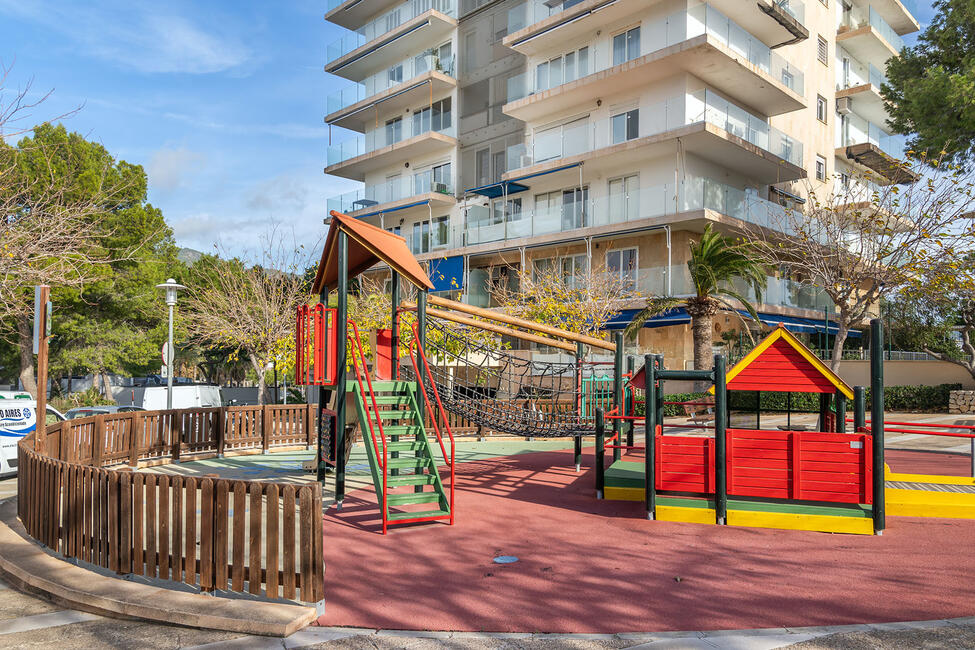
column 222, row 102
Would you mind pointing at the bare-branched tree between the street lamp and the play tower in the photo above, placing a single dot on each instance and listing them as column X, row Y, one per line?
column 249, row 309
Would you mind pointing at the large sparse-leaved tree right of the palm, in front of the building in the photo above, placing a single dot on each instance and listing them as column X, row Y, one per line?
column 862, row 242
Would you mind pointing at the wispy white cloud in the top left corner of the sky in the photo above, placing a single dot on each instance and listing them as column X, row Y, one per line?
column 143, row 38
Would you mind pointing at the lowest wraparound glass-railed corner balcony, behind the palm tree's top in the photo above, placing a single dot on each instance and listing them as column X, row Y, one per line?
column 611, row 212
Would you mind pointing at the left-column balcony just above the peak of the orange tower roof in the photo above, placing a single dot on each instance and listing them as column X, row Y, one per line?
column 396, row 195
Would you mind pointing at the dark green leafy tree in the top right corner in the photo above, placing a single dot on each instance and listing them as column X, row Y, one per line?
column 929, row 87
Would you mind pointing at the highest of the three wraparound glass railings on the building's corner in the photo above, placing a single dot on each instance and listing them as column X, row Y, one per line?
column 676, row 28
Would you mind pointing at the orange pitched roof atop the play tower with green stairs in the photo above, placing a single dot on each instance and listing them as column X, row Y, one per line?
column 368, row 245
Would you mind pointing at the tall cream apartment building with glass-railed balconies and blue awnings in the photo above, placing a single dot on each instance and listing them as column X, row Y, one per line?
column 605, row 134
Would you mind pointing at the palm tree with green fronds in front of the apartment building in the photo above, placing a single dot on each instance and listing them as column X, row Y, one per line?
column 716, row 261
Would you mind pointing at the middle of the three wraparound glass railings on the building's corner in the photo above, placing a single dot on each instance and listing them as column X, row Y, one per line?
column 583, row 136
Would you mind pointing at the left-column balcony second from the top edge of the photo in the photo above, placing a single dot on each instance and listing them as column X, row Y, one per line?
column 379, row 44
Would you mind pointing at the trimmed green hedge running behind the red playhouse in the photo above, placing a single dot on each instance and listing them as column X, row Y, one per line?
column 896, row 398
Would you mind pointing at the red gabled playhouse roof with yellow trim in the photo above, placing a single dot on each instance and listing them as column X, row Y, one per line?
column 782, row 364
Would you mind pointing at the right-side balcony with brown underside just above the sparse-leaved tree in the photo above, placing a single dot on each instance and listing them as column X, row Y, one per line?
column 868, row 145
